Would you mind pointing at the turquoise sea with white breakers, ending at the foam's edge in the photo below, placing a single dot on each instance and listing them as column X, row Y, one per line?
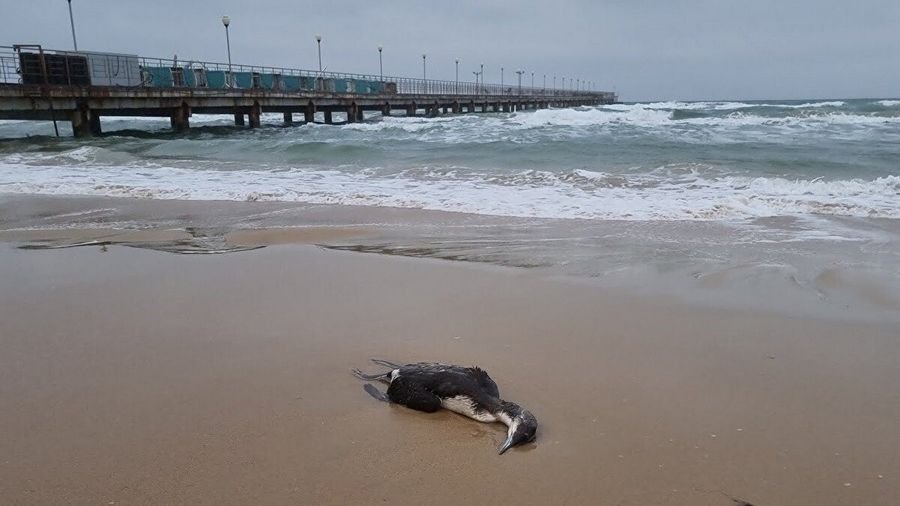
column 669, row 161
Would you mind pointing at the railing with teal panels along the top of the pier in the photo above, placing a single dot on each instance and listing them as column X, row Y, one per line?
column 33, row 65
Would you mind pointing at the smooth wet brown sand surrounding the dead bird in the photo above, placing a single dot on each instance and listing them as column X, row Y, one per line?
column 132, row 376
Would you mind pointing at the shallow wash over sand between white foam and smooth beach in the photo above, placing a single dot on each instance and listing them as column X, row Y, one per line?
column 784, row 265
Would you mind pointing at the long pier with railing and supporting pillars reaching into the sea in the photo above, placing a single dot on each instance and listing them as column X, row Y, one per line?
column 82, row 87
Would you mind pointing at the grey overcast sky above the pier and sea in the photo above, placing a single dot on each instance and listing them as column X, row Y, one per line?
column 644, row 49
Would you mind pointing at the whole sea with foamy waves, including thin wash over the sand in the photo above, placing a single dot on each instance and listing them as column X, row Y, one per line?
column 763, row 204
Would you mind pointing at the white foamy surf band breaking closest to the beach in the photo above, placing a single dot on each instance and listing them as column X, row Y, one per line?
column 669, row 193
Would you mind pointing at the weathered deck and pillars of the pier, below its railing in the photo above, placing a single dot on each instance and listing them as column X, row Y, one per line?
column 84, row 106
